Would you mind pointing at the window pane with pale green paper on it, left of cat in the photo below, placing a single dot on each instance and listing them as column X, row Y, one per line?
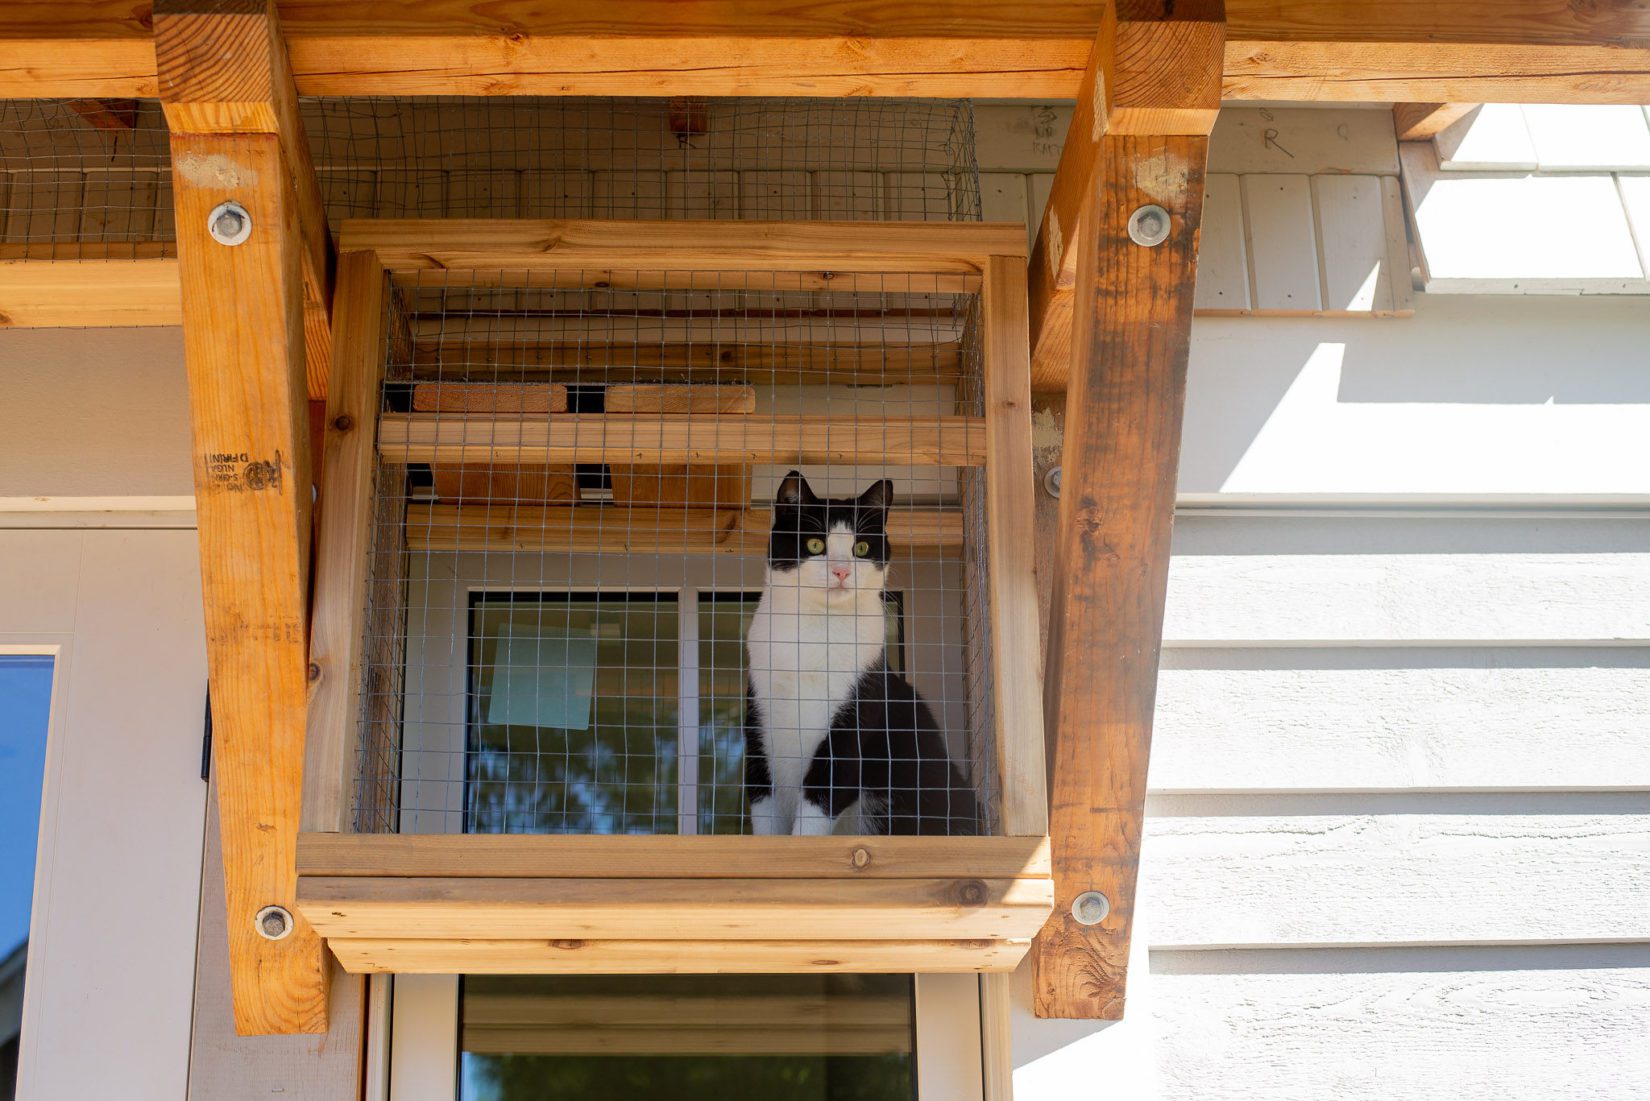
column 573, row 714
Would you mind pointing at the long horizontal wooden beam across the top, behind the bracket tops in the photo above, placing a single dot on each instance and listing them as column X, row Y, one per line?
column 1281, row 50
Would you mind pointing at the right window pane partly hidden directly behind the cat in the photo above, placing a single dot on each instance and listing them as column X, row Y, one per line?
column 724, row 623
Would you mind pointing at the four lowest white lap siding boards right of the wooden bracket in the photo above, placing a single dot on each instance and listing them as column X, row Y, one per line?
column 1400, row 833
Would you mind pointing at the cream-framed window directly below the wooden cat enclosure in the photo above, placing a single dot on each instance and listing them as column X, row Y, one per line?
column 682, row 1037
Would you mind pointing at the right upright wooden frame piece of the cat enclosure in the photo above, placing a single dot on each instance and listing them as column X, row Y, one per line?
column 1011, row 496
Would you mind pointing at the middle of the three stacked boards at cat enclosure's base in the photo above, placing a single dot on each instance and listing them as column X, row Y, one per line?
column 667, row 909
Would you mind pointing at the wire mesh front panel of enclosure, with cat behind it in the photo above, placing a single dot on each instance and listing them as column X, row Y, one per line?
column 616, row 600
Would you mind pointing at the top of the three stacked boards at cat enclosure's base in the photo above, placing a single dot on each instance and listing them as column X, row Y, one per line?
column 623, row 858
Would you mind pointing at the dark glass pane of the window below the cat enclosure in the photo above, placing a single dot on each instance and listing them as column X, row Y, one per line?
column 687, row 1039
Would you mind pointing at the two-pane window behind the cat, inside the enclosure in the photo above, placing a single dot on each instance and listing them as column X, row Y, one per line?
column 611, row 712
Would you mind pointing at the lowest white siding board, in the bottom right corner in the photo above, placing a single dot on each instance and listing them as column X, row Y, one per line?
column 1418, row 1024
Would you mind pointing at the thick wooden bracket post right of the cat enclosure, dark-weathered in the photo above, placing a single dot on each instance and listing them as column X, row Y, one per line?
column 1131, row 328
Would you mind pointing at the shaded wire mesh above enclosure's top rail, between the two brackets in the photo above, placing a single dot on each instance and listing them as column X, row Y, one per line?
column 577, row 158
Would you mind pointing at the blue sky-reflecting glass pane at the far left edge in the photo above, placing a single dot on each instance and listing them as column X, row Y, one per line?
column 26, row 714
